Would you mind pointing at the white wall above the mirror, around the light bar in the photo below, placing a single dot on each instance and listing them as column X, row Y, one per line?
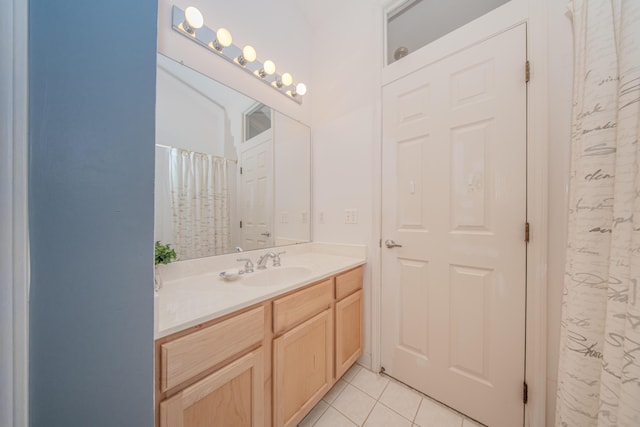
column 275, row 28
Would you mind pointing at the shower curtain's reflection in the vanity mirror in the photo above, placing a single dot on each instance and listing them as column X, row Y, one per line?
column 200, row 202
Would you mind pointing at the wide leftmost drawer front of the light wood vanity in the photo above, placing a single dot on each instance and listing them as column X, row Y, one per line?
column 192, row 354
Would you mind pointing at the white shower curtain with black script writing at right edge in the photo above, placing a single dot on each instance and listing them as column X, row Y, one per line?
column 599, row 366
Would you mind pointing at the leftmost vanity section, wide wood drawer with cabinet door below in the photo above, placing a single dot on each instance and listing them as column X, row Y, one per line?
column 217, row 373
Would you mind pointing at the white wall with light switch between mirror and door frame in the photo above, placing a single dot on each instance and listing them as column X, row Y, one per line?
column 347, row 61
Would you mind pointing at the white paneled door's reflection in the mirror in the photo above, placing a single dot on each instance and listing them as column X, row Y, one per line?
column 256, row 189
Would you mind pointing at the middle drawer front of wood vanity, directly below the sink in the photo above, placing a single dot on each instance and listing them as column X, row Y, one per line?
column 302, row 305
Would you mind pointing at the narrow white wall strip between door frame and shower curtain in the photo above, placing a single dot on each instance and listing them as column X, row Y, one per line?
column 560, row 57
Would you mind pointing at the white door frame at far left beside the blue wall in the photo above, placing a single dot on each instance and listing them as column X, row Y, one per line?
column 14, row 247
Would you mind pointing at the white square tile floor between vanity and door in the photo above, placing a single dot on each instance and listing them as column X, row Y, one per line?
column 364, row 398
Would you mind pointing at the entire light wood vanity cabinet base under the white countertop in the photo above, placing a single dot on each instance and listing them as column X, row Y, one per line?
column 265, row 365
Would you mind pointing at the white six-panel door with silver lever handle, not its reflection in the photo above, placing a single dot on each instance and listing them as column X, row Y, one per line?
column 454, row 201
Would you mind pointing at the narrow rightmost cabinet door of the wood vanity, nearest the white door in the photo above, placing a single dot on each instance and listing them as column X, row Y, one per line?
column 349, row 337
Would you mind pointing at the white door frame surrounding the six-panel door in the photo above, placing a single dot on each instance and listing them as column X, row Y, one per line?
column 533, row 13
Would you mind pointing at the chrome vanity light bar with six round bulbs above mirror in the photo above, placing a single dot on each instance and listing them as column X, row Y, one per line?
column 244, row 58
